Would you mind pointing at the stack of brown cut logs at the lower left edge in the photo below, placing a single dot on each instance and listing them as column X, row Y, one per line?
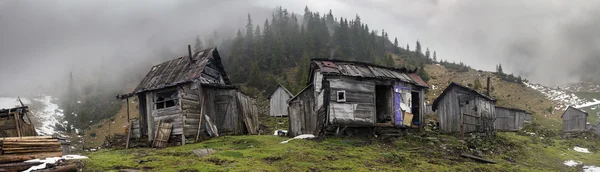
column 17, row 149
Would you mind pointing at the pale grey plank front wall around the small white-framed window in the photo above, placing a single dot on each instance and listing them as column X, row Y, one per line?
column 359, row 108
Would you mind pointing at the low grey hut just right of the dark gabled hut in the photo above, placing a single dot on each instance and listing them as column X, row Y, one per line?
column 511, row 119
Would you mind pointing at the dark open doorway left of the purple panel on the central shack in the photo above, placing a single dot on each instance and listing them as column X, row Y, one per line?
column 384, row 99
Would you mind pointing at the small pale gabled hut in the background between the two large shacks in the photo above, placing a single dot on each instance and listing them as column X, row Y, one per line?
column 278, row 101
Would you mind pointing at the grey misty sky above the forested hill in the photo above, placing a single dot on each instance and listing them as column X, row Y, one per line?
column 548, row 41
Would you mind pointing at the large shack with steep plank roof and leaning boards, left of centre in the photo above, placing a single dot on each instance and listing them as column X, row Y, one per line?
column 194, row 95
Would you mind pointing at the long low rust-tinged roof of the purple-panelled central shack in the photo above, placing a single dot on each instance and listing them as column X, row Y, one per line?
column 367, row 70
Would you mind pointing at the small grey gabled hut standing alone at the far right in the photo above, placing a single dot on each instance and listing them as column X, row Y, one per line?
column 574, row 119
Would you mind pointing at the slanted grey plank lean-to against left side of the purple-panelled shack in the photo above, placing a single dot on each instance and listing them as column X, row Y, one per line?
column 302, row 116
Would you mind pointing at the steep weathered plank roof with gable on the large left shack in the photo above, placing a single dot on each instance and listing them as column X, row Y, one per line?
column 182, row 70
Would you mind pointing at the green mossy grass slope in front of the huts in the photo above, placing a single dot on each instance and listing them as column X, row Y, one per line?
column 414, row 152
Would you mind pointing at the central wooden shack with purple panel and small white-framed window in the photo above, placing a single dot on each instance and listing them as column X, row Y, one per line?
column 345, row 95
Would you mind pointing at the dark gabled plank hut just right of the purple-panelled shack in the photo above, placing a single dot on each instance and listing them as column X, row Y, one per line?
column 462, row 109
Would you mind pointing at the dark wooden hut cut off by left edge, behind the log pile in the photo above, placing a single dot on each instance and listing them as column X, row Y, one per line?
column 15, row 122
